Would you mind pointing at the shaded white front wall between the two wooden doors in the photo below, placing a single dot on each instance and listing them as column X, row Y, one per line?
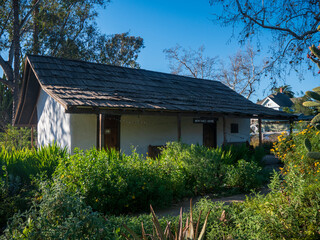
column 142, row 131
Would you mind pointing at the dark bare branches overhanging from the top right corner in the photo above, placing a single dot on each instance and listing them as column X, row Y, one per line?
column 292, row 24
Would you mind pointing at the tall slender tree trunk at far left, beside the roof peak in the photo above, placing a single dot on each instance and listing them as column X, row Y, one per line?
column 16, row 54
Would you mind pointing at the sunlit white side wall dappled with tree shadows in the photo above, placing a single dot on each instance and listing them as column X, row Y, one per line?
column 53, row 122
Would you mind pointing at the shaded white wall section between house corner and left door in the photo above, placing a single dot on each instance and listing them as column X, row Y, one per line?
column 84, row 131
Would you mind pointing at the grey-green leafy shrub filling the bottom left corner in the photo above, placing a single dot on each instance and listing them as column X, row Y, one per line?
column 57, row 214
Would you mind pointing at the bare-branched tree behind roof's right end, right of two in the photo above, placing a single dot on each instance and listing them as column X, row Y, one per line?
column 242, row 74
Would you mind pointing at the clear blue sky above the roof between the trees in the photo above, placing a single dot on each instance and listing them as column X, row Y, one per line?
column 164, row 23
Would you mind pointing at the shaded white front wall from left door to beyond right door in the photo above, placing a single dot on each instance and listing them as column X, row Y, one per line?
column 142, row 131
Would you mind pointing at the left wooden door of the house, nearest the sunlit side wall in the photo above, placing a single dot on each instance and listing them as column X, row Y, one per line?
column 112, row 132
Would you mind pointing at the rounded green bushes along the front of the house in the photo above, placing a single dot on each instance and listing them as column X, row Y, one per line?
column 112, row 182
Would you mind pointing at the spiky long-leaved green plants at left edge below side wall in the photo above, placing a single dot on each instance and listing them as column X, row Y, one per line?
column 17, row 169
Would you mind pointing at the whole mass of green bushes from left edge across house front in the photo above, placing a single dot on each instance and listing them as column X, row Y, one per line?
column 108, row 182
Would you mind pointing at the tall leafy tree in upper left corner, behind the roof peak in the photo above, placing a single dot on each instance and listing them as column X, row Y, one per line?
column 16, row 30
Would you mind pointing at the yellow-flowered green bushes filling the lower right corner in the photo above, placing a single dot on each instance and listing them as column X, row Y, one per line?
column 289, row 211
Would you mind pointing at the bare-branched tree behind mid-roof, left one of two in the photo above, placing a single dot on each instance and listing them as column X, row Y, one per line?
column 191, row 62
